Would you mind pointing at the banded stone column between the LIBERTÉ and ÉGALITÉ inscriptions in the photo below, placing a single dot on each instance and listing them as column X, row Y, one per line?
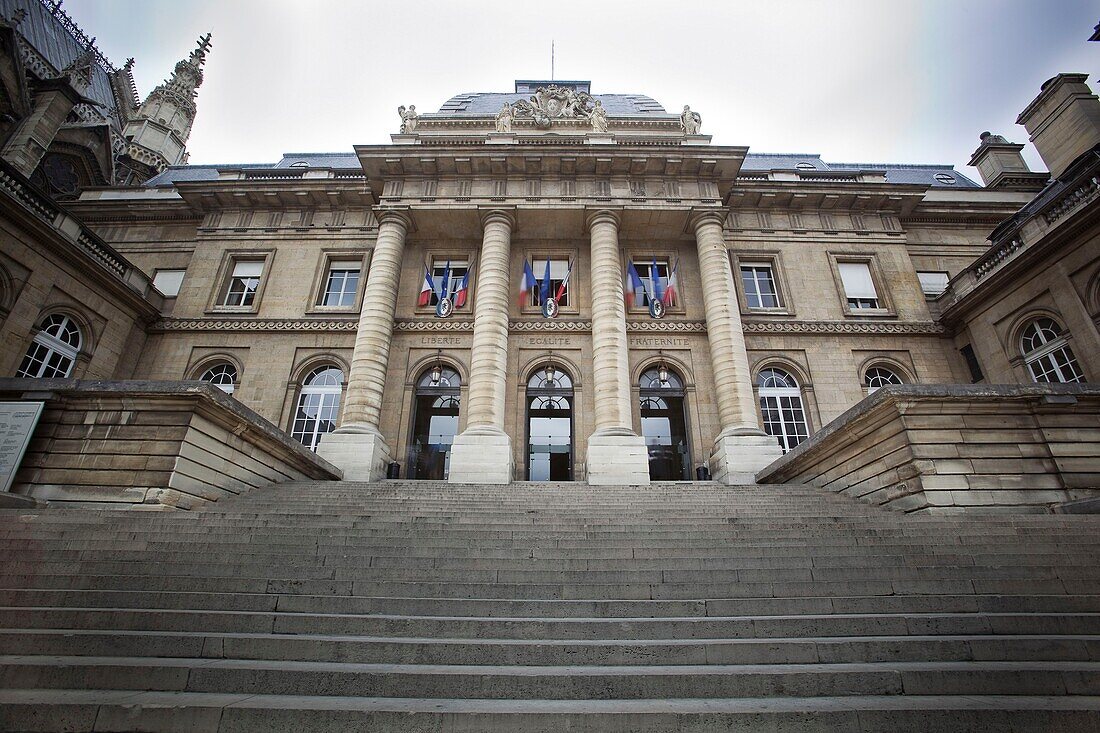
column 482, row 454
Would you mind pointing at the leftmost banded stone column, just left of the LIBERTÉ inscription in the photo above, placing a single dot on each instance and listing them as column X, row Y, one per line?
column 358, row 446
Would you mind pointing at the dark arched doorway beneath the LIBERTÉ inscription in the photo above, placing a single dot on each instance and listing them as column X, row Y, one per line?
column 435, row 423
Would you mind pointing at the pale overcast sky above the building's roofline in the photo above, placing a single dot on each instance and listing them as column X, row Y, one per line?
column 855, row 81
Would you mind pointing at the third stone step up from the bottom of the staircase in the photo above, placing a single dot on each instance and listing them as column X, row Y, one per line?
column 442, row 651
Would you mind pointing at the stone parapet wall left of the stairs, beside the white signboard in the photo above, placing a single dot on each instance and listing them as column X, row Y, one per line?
column 151, row 445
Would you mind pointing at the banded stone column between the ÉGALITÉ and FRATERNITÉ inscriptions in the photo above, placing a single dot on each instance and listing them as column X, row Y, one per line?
column 617, row 455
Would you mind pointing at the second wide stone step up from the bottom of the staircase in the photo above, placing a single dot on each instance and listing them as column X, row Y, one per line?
column 549, row 683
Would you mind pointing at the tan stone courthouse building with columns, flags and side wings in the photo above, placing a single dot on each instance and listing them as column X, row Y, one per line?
column 789, row 288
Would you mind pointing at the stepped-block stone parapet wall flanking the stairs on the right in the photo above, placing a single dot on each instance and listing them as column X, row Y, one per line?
column 953, row 448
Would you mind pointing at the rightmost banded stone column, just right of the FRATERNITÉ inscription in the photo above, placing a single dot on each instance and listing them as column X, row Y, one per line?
column 742, row 448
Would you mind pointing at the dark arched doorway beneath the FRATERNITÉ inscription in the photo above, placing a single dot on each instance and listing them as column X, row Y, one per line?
column 665, row 425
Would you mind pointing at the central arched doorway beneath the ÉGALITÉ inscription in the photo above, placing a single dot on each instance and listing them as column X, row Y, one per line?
column 549, row 425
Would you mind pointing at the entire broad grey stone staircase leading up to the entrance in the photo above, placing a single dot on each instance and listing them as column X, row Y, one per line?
column 426, row 607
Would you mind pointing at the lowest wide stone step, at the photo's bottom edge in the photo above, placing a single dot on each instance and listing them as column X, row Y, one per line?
column 131, row 710
